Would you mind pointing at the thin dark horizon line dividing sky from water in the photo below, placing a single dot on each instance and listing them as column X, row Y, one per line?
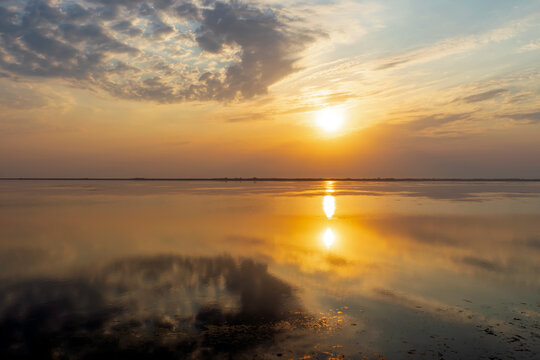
column 389, row 179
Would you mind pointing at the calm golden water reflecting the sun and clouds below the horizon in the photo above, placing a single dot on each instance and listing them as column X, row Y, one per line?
column 269, row 270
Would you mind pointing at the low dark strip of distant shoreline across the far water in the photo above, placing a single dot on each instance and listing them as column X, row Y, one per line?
column 256, row 179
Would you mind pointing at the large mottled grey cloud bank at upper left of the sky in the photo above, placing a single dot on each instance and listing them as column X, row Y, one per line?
column 214, row 50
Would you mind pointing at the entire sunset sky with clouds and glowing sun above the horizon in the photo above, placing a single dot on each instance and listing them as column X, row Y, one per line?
column 284, row 88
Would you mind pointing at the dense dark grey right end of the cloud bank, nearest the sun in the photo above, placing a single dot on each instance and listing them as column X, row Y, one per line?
column 267, row 48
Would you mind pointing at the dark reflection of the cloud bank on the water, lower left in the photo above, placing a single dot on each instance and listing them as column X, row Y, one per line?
column 147, row 308
